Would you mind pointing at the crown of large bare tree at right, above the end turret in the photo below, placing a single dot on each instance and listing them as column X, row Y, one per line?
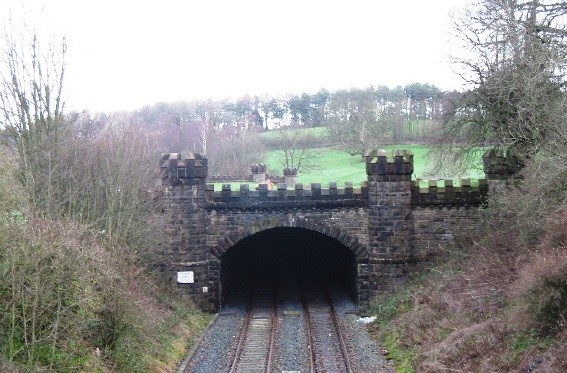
column 515, row 66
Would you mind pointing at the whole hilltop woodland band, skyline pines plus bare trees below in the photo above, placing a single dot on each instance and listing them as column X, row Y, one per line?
column 227, row 130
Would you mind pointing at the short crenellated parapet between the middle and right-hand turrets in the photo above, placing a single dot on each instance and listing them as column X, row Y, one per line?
column 446, row 193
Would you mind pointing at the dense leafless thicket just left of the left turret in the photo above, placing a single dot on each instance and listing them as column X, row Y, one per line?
column 106, row 181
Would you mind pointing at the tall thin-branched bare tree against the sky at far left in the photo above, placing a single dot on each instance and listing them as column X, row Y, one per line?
column 31, row 107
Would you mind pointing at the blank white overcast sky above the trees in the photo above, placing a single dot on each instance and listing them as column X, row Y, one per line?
column 126, row 54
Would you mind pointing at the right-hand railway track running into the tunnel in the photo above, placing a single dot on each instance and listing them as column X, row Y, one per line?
column 327, row 348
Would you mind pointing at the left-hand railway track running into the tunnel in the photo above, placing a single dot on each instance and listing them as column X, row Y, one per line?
column 255, row 348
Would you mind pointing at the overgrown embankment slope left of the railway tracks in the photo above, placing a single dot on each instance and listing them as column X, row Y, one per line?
column 73, row 301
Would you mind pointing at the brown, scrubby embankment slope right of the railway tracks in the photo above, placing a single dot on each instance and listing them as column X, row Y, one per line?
column 481, row 307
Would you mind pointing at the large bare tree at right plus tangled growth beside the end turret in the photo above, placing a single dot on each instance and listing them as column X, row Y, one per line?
column 515, row 66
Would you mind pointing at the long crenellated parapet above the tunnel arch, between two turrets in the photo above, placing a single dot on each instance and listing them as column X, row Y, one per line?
column 300, row 196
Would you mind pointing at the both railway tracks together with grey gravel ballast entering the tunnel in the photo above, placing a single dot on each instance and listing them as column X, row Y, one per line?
column 319, row 338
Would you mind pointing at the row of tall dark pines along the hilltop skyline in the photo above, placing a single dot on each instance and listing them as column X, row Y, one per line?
column 413, row 102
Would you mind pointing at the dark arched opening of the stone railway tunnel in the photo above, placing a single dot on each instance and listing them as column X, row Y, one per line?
column 295, row 254
